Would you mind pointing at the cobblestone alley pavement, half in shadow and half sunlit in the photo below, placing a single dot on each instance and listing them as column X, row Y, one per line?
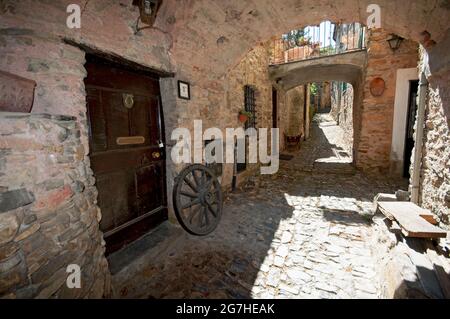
column 303, row 233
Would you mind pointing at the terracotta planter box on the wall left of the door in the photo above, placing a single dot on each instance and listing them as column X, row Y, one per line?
column 16, row 93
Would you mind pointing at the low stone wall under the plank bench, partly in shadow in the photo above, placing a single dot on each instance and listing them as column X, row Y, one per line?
column 409, row 268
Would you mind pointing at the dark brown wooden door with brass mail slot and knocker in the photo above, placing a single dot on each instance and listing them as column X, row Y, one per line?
column 126, row 150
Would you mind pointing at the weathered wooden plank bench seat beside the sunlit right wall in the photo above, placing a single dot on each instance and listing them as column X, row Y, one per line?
column 411, row 223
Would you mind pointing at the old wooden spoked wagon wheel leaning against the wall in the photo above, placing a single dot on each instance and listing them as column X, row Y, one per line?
column 197, row 198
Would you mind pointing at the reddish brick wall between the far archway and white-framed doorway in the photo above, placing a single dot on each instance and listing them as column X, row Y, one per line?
column 376, row 115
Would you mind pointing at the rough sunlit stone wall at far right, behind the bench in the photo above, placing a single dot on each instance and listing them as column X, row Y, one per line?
column 435, row 166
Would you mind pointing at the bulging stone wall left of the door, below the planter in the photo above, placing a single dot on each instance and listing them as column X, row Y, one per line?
column 48, row 212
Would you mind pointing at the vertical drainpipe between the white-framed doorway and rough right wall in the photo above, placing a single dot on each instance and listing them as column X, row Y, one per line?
column 418, row 148
